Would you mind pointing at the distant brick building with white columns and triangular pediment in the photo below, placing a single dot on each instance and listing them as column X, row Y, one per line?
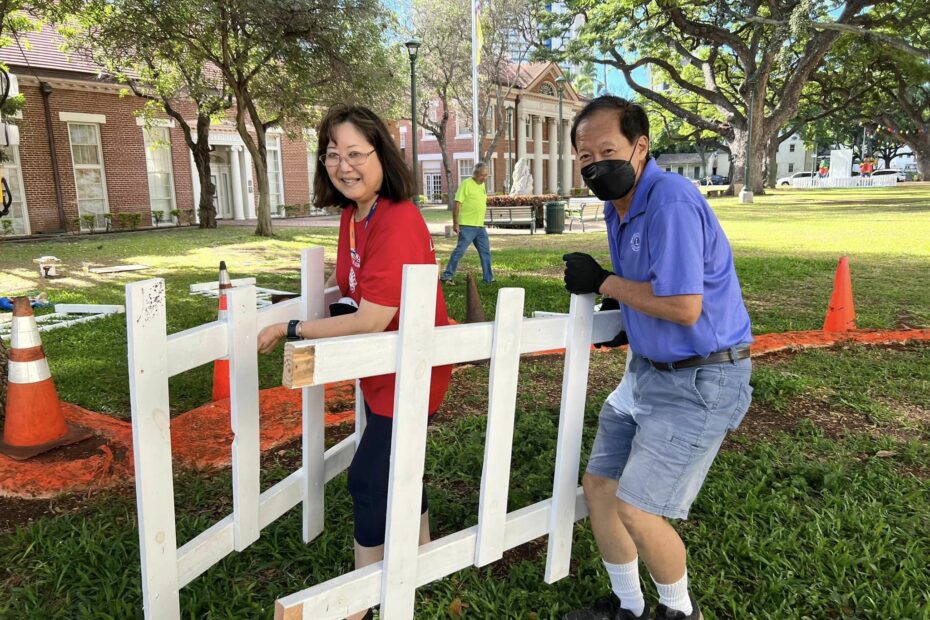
column 532, row 113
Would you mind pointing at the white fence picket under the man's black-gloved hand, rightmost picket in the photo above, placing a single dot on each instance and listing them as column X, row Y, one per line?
column 571, row 423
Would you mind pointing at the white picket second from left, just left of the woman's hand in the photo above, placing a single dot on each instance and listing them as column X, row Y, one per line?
column 244, row 414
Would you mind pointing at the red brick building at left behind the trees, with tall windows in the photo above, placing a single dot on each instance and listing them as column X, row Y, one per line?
column 106, row 162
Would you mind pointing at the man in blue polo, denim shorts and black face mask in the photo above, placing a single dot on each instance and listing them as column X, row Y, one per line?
column 687, row 382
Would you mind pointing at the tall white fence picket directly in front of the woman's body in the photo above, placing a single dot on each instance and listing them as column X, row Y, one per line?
column 408, row 444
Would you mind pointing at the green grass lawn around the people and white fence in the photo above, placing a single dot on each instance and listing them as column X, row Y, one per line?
column 818, row 507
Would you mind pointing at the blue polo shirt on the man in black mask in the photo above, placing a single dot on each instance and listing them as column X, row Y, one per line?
column 671, row 238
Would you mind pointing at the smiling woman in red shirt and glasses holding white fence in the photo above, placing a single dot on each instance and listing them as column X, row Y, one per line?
column 381, row 230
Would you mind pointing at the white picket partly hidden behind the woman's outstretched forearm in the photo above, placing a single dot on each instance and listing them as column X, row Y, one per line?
column 312, row 284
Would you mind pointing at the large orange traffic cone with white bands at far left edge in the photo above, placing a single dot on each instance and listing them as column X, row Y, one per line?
column 34, row 421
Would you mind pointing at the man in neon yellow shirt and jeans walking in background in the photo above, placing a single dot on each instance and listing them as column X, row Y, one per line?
column 471, row 201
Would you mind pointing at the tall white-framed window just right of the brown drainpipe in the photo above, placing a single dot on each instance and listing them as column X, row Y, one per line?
column 89, row 178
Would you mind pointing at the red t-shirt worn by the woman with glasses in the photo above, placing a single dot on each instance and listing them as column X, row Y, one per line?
column 393, row 236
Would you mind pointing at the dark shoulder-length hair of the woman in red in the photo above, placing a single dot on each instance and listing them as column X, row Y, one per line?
column 398, row 181
